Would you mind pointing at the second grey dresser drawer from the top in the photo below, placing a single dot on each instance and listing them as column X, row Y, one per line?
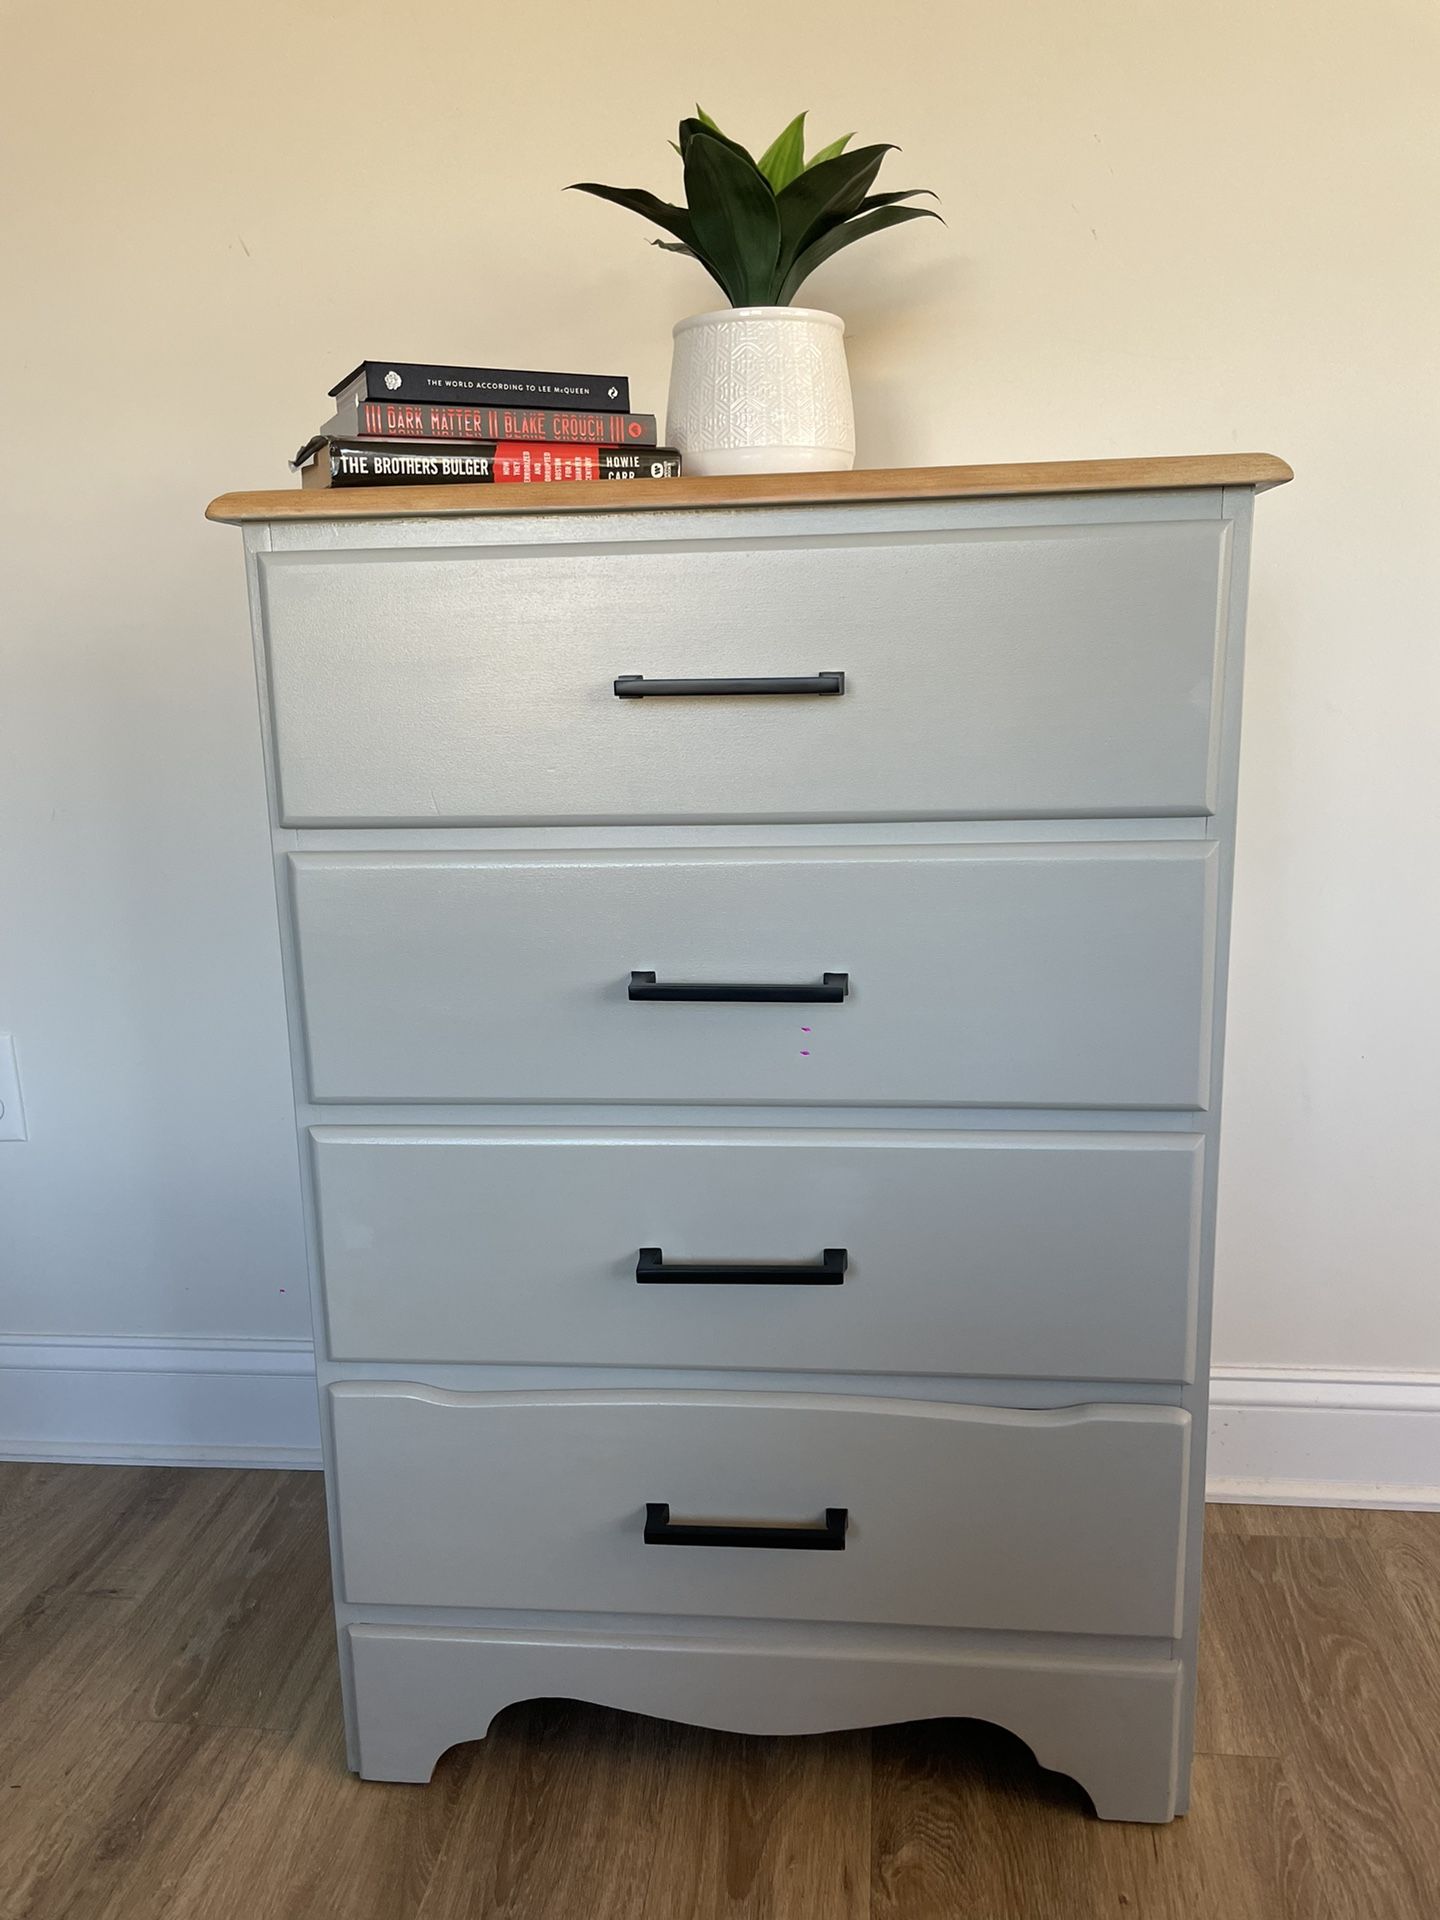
column 976, row 976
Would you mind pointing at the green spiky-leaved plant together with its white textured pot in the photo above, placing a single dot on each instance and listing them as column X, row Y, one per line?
column 761, row 387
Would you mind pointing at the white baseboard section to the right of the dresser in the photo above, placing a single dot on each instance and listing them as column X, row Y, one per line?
column 1299, row 1437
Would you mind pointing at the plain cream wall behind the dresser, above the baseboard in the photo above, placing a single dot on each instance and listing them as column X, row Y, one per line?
column 1172, row 228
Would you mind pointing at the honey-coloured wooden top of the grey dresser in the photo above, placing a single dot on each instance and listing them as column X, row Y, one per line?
column 756, row 491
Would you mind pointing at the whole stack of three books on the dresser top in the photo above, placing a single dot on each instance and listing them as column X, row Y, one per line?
column 398, row 423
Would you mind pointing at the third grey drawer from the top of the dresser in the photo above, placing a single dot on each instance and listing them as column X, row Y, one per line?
column 1045, row 1255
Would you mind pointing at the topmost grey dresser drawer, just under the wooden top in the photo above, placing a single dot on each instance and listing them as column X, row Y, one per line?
column 988, row 673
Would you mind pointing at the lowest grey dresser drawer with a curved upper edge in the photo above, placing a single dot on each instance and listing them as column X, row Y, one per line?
column 978, row 1518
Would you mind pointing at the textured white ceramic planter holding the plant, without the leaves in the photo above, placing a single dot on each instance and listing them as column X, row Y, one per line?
column 761, row 391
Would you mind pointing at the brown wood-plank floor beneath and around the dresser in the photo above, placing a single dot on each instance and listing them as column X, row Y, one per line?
column 170, row 1748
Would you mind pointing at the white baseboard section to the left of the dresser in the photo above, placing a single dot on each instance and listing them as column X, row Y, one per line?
column 158, row 1403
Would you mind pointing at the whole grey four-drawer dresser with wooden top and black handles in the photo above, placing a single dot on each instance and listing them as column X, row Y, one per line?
column 756, row 957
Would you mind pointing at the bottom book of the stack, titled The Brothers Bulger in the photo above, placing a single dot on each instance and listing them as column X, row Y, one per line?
column 327, row 462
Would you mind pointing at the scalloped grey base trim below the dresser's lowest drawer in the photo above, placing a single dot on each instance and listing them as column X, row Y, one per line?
column 1109, row 1725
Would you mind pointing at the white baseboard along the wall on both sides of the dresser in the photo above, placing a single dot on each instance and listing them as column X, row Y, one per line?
column 1278, row 1435
